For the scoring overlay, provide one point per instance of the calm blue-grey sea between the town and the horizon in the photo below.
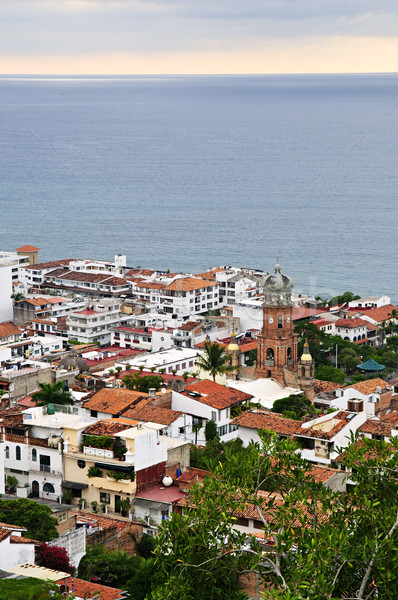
(190, 172)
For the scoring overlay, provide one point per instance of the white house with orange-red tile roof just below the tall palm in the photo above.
(205, 400)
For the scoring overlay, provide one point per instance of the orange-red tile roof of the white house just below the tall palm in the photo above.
(215, 395)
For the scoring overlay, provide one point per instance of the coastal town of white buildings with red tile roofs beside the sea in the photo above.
(123, 389)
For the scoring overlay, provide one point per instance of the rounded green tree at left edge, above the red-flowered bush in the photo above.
(37, 518)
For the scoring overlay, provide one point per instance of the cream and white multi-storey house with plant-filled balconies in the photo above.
(112, 459)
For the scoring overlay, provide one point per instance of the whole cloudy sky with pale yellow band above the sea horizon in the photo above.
(198, 36)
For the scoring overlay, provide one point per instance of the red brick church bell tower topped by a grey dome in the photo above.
(277, 343)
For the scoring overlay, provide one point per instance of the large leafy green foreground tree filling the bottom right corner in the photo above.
(326, 545)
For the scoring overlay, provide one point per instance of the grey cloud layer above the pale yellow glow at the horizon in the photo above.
(147, 27)
